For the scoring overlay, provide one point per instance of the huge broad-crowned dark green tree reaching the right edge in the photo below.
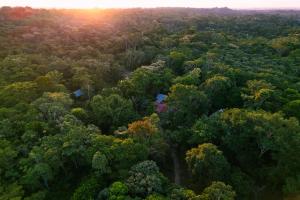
(257, 140)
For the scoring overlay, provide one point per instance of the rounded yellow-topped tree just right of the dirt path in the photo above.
(207, 163)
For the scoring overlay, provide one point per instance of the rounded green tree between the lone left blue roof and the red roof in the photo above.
(112, 111)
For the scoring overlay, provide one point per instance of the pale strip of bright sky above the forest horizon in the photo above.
(243, 4)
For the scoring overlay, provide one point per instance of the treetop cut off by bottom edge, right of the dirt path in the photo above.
(217, 191)
